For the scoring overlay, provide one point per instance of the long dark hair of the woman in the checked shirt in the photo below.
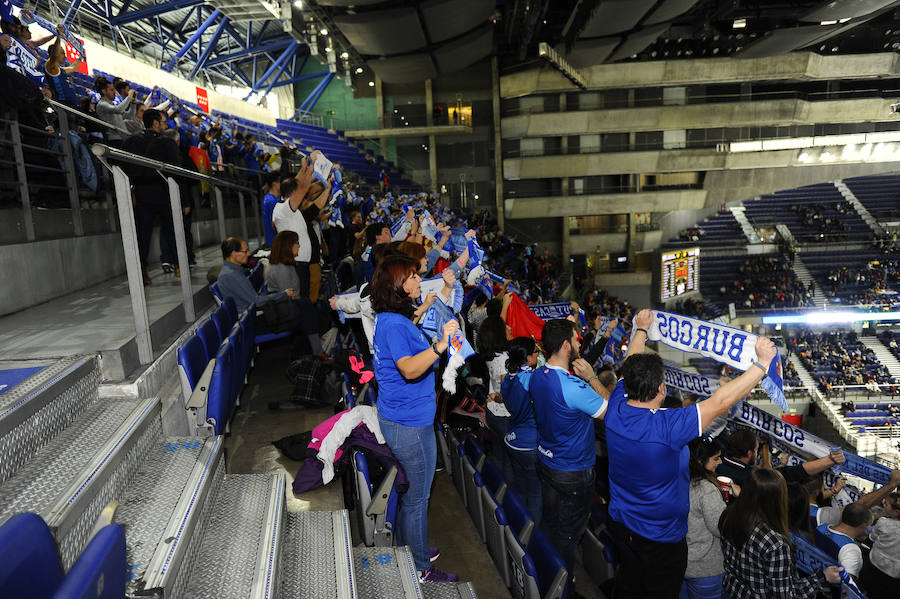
(763, 499)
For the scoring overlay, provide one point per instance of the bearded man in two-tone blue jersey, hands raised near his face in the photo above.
(564, 408)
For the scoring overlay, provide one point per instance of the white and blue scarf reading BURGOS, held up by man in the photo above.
(722, 343)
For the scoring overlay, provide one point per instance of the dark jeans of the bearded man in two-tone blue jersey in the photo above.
(567, 498)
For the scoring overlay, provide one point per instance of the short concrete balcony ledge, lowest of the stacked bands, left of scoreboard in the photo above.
(613, 203)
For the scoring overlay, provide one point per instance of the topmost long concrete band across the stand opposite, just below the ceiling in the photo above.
(791, 66)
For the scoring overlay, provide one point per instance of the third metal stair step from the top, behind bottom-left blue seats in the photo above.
(162, 509)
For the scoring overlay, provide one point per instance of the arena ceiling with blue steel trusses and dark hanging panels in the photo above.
(263, 43)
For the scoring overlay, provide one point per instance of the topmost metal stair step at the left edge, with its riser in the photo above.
(39, 408)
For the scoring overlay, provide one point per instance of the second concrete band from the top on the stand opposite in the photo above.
(697, 116)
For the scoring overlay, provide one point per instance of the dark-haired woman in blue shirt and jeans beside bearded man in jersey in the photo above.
(521, 434)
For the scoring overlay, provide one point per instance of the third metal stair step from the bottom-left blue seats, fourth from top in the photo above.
(238, 554)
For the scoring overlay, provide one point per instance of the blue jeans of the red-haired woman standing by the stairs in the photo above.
(416, 449)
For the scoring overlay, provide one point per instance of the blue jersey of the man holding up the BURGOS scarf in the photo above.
(649, 480)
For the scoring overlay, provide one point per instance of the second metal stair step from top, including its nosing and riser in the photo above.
(72, 478)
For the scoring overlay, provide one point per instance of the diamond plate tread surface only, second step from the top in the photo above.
(39, 482)
